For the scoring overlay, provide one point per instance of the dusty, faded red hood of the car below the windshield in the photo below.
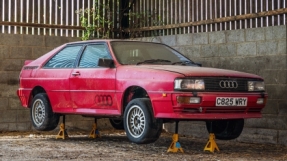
(191, 71)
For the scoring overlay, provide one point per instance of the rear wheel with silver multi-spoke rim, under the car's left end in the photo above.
(42, 116)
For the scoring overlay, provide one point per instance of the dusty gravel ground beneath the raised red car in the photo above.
(114, 145)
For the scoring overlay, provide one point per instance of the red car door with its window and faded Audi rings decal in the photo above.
(91, 86)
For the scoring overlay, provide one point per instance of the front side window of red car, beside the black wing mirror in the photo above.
(92, 54)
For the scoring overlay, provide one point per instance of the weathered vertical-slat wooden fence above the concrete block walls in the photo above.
(137, 18)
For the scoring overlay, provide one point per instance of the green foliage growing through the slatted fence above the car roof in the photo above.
(97, 22)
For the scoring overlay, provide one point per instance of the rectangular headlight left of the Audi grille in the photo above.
(192, 84)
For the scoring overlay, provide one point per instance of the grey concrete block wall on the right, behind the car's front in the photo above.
(261, 51)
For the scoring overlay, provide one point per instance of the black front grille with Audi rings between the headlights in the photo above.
(212, 84)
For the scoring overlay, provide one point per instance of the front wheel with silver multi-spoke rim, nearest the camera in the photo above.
(140, 125)
